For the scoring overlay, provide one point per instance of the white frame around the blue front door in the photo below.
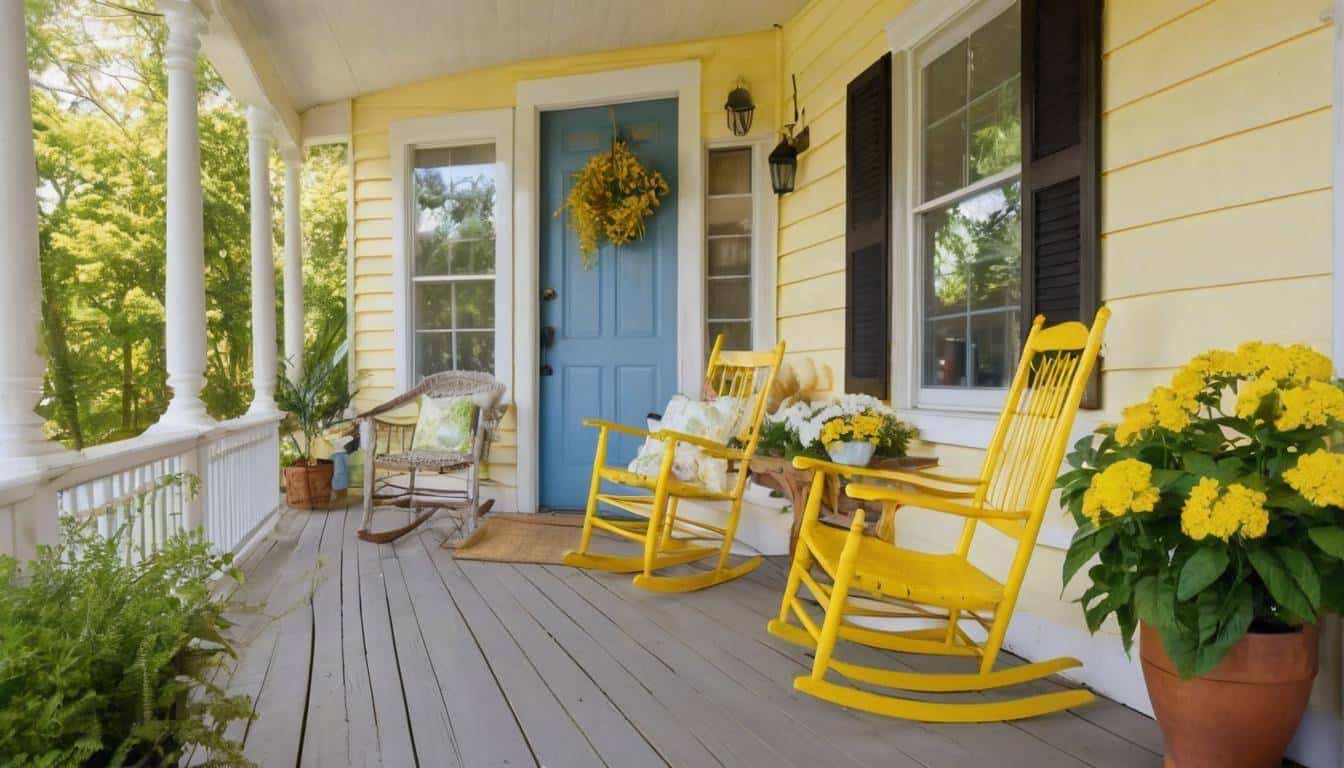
(681, 81)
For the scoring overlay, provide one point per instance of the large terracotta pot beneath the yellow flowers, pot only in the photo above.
(1244, 714)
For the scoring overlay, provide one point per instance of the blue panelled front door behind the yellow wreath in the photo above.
(608, 334)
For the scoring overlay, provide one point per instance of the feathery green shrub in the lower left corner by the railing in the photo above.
(108, 664)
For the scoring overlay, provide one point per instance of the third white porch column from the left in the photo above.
(260, 126)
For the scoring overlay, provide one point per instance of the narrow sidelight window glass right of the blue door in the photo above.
(729, 223)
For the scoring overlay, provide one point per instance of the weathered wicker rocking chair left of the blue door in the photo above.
(388, 450)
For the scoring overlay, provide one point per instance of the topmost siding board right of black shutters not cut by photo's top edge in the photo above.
(1277, 84)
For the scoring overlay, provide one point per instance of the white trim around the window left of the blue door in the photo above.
(456, 130)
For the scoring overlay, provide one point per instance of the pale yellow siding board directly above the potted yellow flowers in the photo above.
(1169, 329)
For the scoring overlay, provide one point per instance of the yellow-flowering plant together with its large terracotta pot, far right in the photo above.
(1214, 516)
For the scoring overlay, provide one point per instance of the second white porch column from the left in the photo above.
(186, 290)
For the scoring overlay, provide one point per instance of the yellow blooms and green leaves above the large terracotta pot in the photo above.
(1216, 506)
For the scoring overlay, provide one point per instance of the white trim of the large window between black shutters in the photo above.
(955, 418)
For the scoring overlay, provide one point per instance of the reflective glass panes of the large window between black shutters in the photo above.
(971, 233)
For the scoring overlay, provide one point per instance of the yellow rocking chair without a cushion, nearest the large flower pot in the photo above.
(869, 578)
